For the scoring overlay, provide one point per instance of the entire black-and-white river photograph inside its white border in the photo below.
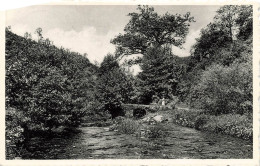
(137, 81)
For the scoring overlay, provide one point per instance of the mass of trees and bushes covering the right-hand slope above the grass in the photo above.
(220, 79)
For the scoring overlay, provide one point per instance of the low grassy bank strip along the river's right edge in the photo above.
(231, 124)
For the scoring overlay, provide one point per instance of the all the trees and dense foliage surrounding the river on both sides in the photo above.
(48, 88)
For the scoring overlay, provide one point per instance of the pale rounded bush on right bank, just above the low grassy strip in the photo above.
(225, 89)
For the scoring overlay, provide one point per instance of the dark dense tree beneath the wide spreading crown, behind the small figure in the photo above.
(159, 75)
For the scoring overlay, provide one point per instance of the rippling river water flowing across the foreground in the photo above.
(178, 143)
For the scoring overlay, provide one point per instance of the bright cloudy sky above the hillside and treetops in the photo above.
(89, 29)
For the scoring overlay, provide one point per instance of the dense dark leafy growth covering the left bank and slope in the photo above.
(46, 87)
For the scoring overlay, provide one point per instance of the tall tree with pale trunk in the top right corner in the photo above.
(230, 23)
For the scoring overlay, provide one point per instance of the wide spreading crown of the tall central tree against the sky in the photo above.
(146, 29)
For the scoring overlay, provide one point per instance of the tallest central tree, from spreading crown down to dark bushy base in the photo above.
(152, 35)
